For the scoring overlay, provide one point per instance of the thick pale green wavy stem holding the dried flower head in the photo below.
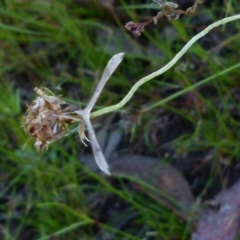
(163, 69)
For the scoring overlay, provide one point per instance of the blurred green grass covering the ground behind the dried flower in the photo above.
(54, 43)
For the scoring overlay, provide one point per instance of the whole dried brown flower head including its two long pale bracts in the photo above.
(47, 119)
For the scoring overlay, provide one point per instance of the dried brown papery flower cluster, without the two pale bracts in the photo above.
(45, 120)
